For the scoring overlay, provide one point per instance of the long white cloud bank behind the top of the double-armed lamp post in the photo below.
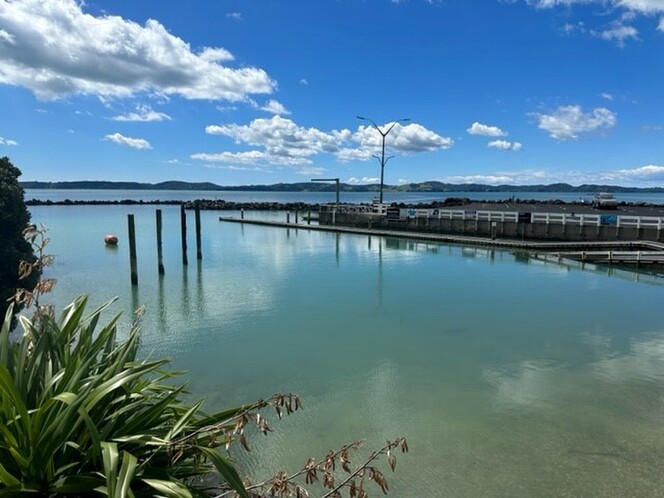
(279, 140)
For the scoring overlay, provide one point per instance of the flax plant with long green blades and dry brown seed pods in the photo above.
(82, 415)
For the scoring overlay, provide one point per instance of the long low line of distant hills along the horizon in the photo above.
(430, 186)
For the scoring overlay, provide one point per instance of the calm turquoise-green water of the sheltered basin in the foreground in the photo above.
(509, 377)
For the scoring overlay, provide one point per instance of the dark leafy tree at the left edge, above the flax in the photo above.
(14, 248)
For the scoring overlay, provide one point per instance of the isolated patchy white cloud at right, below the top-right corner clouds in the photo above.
(567, 122)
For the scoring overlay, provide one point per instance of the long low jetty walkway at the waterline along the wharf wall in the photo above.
(618, 252)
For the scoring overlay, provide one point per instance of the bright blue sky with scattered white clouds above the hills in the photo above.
(243, 92)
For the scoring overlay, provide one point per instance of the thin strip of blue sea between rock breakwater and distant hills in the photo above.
(317, 197)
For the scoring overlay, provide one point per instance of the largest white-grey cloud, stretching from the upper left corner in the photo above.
(55, 49)
